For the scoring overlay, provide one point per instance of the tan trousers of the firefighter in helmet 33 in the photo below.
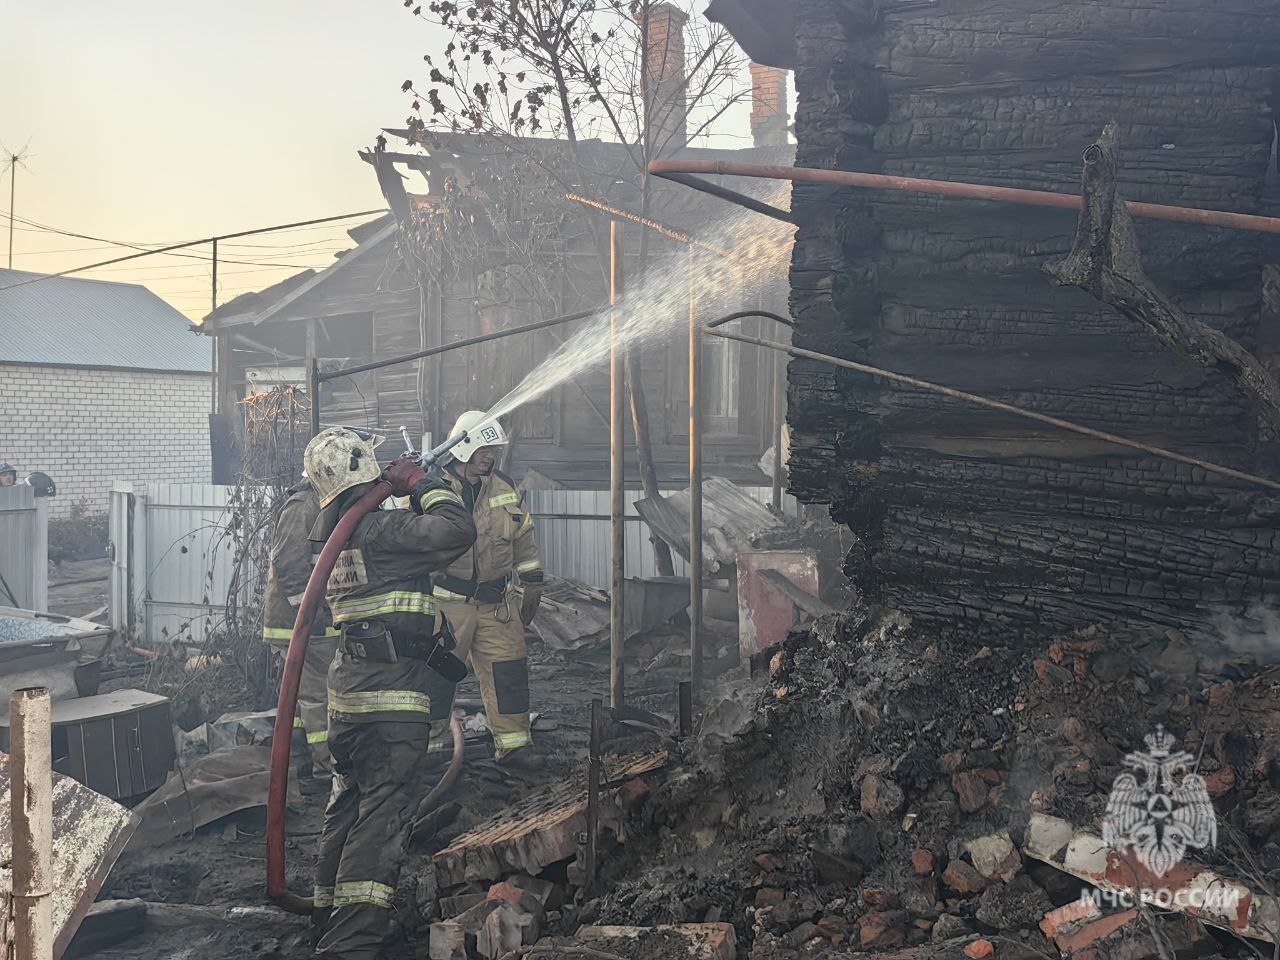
(493, 637)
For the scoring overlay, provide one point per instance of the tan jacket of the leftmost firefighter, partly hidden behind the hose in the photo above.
(292, 559)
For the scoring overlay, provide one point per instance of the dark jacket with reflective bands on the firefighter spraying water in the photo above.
(382, 586)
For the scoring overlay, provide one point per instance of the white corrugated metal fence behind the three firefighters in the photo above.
(172, 559)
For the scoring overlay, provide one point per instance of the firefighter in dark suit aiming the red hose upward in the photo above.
(392, 680)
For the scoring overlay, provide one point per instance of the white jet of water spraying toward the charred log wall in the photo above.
(755, 253)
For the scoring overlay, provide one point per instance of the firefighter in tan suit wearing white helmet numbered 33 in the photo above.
(479, 591)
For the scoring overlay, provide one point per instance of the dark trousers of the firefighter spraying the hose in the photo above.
(380, 779)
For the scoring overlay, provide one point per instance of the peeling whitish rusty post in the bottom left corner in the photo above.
(31, 796)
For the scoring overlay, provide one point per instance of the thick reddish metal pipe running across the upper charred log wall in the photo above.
(678, 171)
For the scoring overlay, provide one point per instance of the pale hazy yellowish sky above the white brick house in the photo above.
(164, 121)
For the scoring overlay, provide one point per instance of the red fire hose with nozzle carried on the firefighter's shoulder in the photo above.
(277, 885)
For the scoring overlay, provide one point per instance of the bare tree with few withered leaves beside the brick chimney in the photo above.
(525, 74)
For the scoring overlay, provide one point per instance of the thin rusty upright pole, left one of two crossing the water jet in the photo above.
(618, 479)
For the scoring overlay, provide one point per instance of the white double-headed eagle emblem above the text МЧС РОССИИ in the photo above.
(1160, 810)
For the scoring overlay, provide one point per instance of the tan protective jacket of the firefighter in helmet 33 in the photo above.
(505, 541)
